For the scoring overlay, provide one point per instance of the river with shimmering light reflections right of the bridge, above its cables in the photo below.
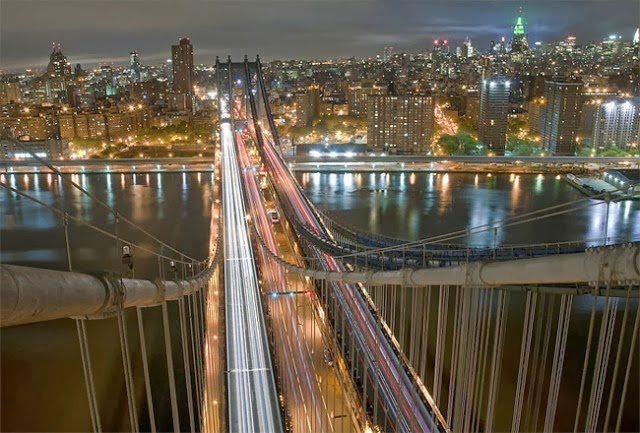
(461, 200)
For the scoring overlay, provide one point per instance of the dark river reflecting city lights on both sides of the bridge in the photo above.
(42, 381)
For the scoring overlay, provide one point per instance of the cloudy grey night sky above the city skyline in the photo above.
(93, 31)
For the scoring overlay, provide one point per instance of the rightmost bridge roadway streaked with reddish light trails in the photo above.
(405, 409)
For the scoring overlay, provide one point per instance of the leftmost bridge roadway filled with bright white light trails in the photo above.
(252, 395)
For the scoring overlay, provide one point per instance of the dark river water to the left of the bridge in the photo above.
(43, 387)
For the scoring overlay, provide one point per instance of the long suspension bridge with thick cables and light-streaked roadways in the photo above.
(307, 324)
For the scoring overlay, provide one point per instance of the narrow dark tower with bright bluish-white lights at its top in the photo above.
(494, 110)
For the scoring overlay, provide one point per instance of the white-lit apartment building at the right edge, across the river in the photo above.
(617, 123)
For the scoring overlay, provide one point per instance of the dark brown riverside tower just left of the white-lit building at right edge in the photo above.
(562, 115)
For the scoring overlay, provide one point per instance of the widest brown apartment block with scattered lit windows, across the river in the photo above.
(400, 124)
